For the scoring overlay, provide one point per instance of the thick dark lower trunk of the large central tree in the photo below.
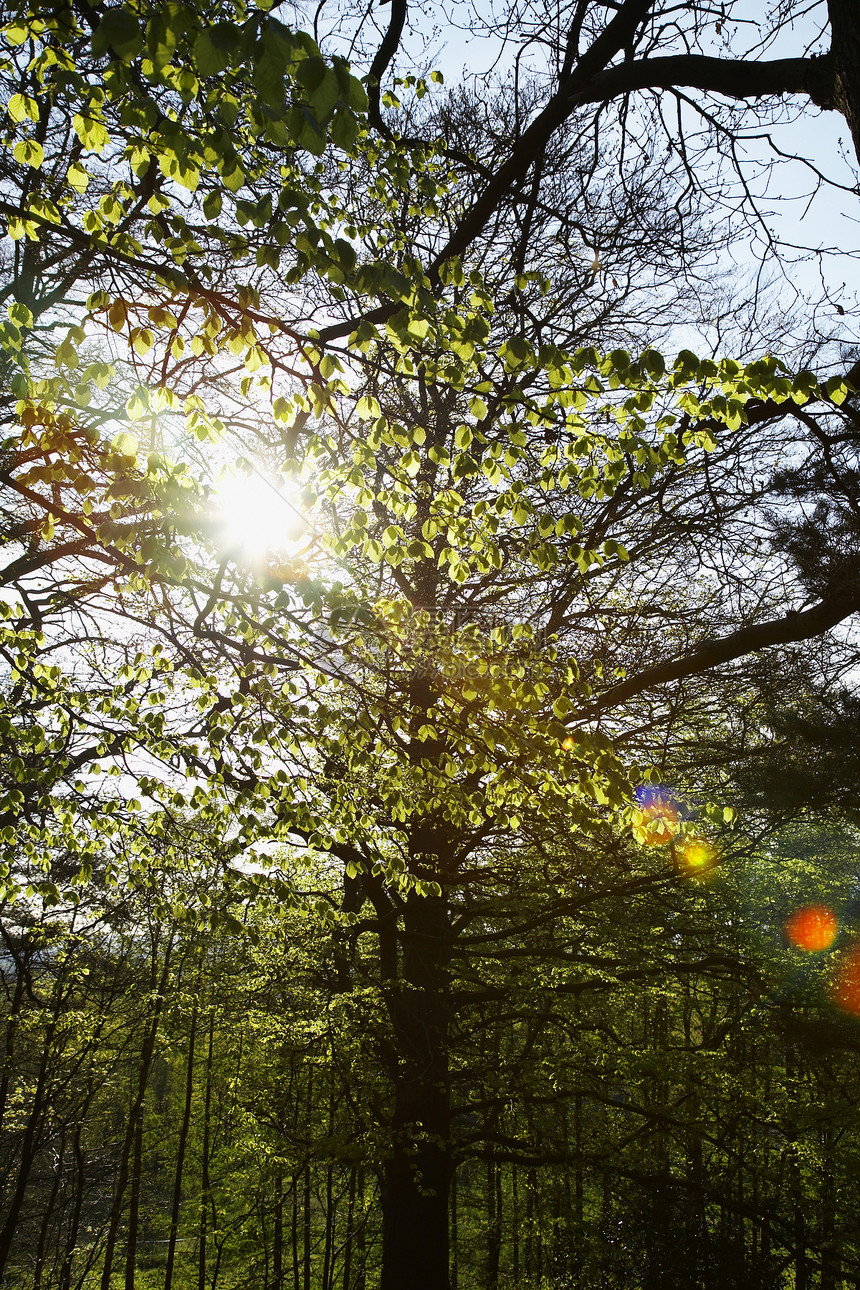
(418, 1175)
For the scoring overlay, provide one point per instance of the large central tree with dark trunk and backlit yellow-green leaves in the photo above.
(484, 495)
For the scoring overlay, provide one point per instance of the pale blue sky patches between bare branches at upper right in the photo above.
(813, 273)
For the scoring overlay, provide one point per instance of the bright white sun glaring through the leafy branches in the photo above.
(256, 518)
